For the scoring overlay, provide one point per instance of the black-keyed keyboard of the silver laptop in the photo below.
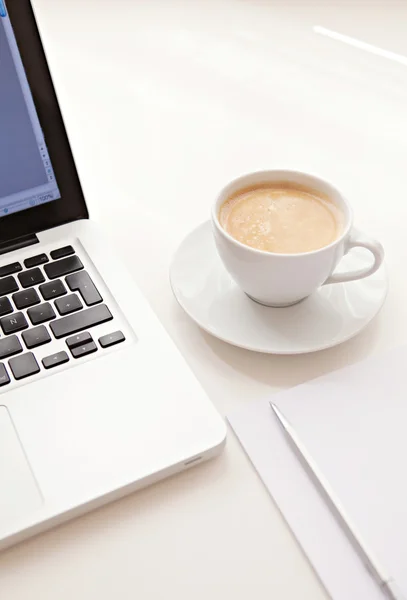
(64, 304)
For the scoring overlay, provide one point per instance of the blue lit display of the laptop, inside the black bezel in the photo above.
(27, 178)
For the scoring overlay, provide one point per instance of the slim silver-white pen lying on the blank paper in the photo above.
(383, 579)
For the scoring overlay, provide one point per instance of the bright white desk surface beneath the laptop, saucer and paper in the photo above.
(166, 101)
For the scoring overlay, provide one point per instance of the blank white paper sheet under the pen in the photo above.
(353, 422)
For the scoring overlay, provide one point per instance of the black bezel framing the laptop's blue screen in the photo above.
(71, 206)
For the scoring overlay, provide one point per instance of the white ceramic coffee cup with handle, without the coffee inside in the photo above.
(284, 279)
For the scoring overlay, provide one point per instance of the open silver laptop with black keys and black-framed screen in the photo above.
(95, 400)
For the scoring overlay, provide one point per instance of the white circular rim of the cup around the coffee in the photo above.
(242, 178)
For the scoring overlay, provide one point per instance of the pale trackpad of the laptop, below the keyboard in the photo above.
(19, 493)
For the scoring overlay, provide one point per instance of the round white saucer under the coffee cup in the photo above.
(334, 314)
